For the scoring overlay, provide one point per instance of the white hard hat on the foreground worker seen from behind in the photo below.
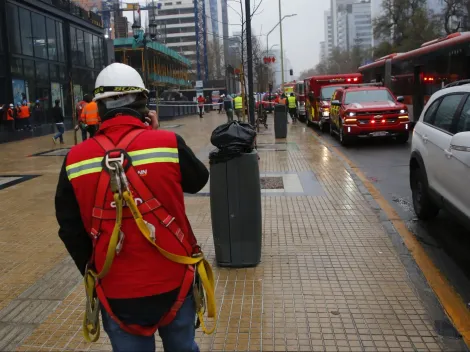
(118, 79)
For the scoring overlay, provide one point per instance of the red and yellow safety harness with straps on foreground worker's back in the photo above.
(118, 172)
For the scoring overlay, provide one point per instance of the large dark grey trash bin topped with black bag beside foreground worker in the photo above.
(235, 196)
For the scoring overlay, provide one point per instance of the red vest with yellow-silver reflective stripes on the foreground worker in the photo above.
(152, 169)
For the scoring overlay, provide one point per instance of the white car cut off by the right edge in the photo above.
(440, 154)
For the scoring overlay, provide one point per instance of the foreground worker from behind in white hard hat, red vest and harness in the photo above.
(121, 214)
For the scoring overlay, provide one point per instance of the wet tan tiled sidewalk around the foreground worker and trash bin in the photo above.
(330, 277)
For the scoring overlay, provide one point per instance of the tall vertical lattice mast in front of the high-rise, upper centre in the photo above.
(201, 40)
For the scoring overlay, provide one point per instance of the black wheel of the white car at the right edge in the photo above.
(424, 206)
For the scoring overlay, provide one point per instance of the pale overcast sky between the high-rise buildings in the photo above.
(302, 34)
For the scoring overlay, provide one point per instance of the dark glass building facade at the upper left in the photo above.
(47, 53)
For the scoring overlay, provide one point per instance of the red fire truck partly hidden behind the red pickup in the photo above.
(319, 90)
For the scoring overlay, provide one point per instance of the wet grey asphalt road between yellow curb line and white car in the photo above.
(385, 163)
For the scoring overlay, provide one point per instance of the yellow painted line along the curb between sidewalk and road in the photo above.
(452, 302)
